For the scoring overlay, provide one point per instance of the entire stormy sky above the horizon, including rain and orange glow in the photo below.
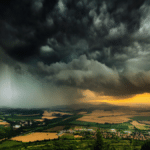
(58, 52)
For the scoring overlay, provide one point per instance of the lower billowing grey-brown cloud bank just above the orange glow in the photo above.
(93, 75)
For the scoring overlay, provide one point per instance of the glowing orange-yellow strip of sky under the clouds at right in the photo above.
(138, 99)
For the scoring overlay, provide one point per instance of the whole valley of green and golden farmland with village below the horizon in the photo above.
(75, 129)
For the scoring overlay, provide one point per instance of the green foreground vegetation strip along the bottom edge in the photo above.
(71, 143)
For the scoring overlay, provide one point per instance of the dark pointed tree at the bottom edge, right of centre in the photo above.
(99, 143)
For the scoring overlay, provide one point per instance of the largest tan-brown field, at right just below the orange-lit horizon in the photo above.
(115, 116)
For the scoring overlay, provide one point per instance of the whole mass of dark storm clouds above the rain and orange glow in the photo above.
(87, 44)
